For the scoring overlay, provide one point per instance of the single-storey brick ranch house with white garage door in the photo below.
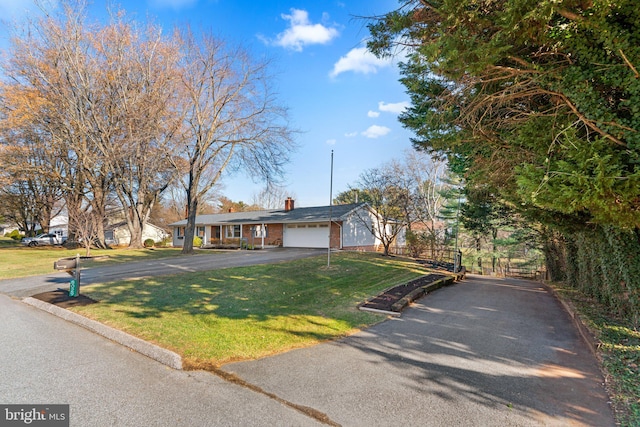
(301, 227)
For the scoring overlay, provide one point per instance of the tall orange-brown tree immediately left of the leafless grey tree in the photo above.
(135, 115)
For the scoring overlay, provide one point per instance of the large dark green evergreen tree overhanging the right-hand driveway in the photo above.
(537, 99)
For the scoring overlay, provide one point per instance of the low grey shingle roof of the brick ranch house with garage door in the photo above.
(313, 214)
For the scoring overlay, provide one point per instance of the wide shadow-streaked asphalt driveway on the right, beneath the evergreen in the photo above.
(484, 352)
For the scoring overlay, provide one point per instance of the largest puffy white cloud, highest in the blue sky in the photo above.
(302, 32)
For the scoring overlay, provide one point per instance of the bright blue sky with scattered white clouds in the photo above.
(340, 97)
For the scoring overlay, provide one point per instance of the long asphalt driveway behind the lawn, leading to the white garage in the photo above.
(27, 286)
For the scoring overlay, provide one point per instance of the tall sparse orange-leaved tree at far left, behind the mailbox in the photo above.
(49, 69)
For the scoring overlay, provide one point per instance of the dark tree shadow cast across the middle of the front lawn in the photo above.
(232, 296)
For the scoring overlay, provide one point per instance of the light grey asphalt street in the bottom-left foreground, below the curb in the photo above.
(45, 360)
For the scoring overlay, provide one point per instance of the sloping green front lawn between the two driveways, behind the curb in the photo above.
(220, 316)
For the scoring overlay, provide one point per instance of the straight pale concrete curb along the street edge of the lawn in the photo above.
(164, 356)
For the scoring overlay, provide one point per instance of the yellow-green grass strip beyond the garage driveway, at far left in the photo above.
(20, 261)
